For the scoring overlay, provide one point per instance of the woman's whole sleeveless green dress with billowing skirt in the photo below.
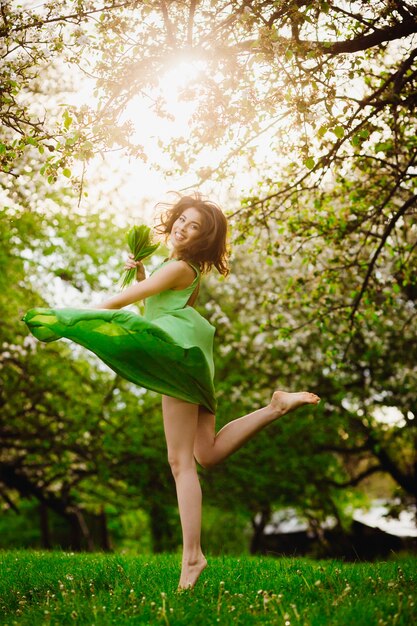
(169, 349)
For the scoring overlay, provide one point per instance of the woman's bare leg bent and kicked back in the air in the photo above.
(210, 448)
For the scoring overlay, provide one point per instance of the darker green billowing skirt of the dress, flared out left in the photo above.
(133, 347)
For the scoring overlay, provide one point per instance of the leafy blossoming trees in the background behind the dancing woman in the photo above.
(316, 101)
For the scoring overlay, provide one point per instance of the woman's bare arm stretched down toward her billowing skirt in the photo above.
(171, 276)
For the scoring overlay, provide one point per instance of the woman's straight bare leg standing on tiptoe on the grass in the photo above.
(180, 424)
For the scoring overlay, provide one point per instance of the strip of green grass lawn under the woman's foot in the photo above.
(60, 588)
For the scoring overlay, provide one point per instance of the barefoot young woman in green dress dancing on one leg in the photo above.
(169, 350)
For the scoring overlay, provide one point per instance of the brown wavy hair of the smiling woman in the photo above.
(210, 249)
